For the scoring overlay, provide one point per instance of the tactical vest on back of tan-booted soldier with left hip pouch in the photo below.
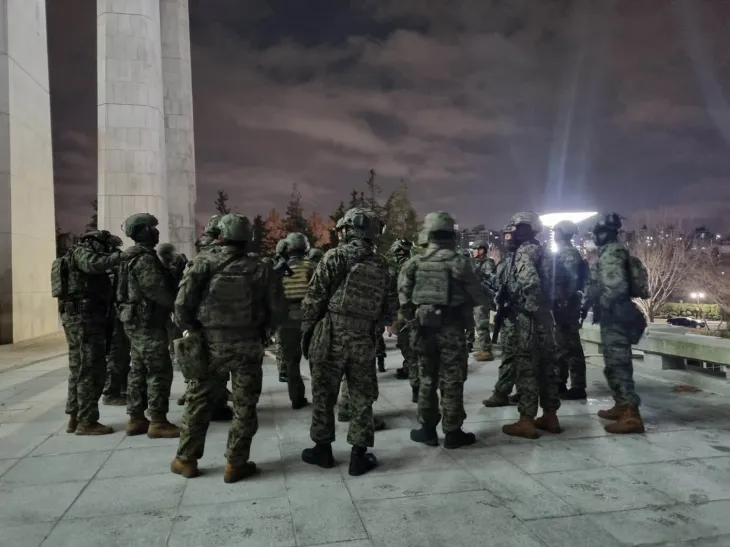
(228, 301)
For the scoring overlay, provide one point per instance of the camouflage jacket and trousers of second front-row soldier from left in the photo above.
(151, 297)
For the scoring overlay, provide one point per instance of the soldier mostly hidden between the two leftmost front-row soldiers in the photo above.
(118, 354)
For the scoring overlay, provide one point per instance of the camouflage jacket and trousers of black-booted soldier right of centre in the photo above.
(441, 352)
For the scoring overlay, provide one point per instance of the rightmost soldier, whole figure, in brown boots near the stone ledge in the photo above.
(609, 294)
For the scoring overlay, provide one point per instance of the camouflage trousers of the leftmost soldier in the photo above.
(86, 362)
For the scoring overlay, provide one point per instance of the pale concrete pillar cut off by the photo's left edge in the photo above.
(27, 217)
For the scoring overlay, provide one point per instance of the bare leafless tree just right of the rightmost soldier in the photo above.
(669, 258)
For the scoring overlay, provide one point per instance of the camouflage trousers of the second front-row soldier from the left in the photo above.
(150, 375)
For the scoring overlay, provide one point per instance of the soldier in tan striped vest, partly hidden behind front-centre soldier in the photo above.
(289, 333)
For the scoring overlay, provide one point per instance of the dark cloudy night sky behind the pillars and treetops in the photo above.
(485, 107)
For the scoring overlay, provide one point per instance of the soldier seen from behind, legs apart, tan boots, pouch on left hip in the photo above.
(232, 299)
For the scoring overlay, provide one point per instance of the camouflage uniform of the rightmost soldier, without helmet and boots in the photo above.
(612, 304)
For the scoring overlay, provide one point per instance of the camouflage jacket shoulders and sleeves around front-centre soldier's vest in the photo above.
(332, 271)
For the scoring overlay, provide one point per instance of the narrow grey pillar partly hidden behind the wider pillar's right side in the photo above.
(179, 141)
